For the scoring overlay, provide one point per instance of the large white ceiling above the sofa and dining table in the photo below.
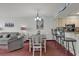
(29, 9)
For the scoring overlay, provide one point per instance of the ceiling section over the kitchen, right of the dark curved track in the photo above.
(71, 10)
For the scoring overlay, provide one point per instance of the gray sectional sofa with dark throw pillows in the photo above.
(11, 41)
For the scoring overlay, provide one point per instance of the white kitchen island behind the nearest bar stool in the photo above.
(73, 35)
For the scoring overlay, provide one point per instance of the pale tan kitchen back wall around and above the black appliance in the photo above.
(68, 20)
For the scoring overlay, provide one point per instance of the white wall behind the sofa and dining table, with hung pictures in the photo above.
(49, 23)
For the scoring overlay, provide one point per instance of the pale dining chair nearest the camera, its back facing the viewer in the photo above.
(37, 43)
